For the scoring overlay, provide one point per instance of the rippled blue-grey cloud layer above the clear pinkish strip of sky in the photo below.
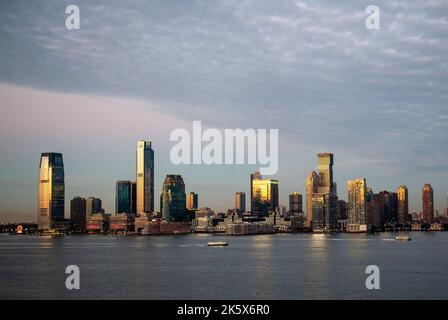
(311, 69)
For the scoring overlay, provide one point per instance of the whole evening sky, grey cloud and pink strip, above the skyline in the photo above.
(377, 99)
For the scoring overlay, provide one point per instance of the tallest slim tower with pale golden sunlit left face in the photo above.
(145, 178)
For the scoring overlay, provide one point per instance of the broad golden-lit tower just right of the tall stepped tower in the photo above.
(356, 205)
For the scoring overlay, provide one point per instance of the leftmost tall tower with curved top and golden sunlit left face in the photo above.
(51, 190)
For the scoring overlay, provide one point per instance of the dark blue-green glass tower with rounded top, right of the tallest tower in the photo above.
(173, 199)
